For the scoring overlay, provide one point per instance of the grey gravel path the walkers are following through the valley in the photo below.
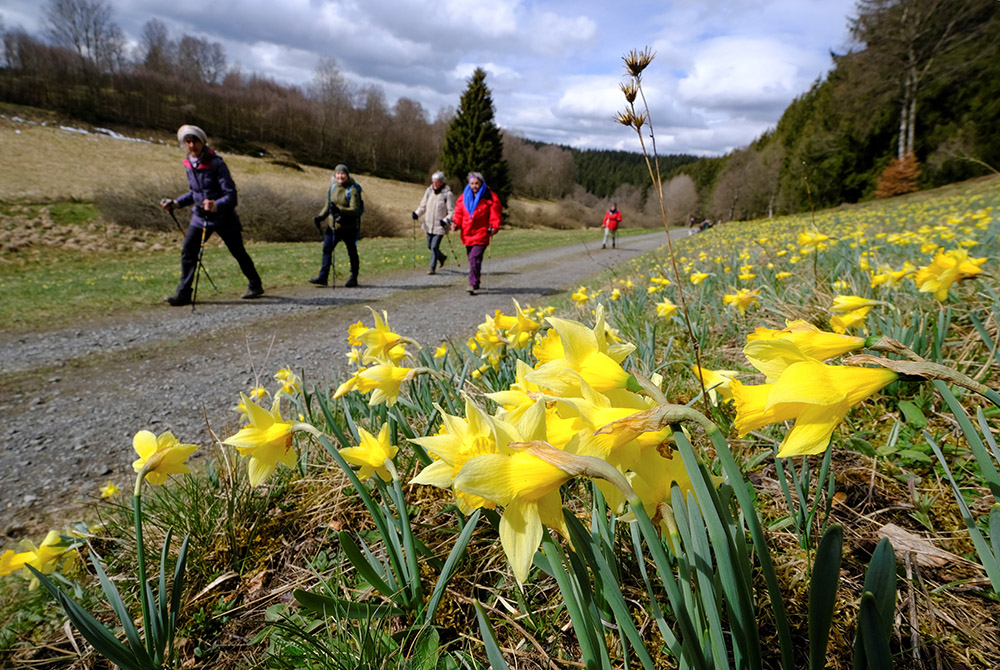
(74, 398)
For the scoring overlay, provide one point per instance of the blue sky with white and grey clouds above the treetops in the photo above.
(724, 69)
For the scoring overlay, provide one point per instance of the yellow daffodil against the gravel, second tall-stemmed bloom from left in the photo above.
(267, 440)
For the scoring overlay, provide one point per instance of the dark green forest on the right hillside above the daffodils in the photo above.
(923, 79)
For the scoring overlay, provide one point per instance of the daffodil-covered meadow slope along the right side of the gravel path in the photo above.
(566, 489)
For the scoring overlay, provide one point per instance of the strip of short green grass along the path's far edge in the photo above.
(61, 287)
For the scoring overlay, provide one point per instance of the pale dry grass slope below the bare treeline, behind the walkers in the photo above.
(46, 164)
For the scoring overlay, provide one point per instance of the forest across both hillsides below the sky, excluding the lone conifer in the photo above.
(915, 103)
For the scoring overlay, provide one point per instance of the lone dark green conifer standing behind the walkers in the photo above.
(473, 142)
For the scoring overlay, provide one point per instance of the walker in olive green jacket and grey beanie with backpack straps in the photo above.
(344, 205)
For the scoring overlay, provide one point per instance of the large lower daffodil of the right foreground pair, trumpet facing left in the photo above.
(817, 396)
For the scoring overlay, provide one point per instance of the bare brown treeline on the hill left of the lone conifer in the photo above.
(325, 123)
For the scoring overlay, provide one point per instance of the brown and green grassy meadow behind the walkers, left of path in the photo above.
(61, 259)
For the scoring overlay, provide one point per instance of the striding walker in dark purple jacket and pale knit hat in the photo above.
(213, 194)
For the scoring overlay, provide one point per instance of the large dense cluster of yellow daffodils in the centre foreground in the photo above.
(548, 423)
